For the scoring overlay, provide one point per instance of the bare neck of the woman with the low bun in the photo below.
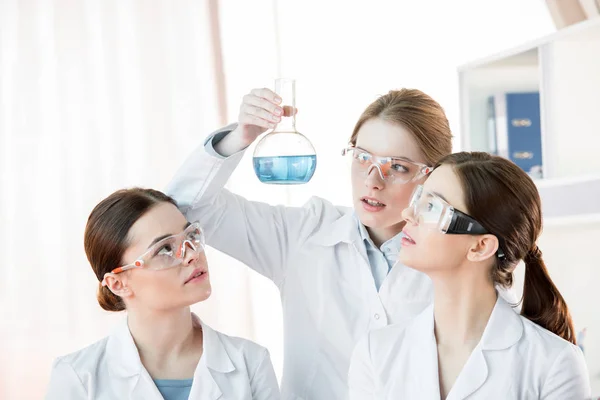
(161, 335)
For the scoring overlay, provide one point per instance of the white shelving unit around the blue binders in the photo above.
(565, 68)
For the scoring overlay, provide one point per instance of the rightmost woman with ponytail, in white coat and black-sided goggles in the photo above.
(483, 215)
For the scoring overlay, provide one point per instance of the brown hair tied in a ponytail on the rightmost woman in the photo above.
(504, 199)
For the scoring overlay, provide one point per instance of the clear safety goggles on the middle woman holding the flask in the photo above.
(391, 169)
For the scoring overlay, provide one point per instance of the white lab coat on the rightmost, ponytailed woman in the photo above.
(516, 359)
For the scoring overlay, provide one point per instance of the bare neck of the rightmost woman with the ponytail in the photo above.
(463, 303)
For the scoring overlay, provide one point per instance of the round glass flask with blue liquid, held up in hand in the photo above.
(285, 156)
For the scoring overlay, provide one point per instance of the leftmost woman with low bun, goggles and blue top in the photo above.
(150, 261)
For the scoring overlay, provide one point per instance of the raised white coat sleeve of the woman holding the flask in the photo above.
(258, 234)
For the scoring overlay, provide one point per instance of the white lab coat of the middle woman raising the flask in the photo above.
(315, 257)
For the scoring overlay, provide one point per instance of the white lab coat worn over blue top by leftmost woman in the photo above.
(229, 369)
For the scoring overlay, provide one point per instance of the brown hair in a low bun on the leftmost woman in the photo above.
(105, 238)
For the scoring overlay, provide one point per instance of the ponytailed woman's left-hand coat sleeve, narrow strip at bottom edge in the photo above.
(361, 375)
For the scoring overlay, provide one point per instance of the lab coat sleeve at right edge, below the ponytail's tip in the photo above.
(567, 378)
